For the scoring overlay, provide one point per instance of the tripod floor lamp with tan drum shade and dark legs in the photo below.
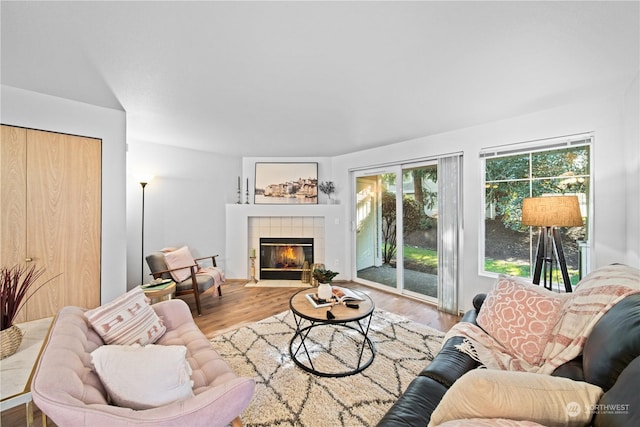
(549, 213)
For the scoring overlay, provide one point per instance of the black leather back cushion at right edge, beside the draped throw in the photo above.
(613, 343)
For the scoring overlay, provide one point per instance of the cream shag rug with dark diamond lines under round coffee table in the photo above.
(286, 395)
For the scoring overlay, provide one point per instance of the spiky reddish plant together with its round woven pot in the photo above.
(16, 287)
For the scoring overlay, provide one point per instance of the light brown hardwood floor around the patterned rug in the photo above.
(240, 305)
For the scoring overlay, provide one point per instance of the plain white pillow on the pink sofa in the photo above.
(143, 377)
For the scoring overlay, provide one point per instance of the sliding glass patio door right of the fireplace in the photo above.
(396, 243)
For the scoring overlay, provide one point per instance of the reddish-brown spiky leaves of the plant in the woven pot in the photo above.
(17, 286)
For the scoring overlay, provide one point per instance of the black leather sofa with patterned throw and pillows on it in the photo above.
(610, 359)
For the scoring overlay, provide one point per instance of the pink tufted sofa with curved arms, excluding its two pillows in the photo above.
(69, 392)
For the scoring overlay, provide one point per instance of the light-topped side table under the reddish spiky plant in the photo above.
(16, 370)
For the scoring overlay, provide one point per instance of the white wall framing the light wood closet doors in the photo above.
(38, 111)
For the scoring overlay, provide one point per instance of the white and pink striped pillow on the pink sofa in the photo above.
(129, 319)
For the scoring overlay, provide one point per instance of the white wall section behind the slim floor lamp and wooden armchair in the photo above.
(184, 203)
